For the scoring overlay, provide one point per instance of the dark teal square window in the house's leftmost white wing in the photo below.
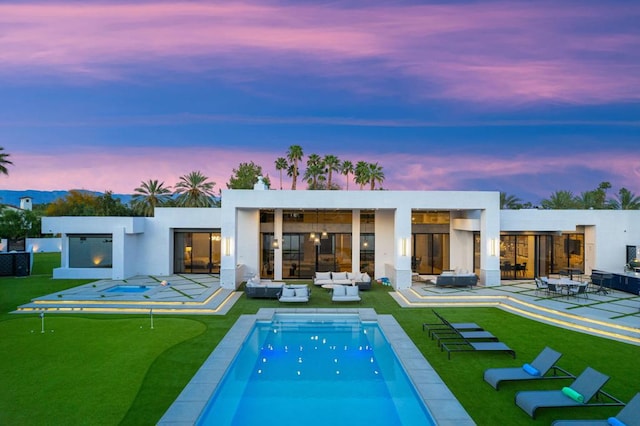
(90, 251)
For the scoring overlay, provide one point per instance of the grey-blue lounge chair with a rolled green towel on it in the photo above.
(578, 394)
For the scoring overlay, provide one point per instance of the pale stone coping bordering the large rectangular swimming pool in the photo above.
(443, 405)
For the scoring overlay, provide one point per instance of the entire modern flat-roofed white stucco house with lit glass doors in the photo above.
(396, 234)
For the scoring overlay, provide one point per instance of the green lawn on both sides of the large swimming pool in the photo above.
(114, 369)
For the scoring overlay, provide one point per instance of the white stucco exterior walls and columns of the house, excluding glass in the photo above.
(145, 246)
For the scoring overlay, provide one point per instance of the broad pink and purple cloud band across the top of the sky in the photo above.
(489, 52)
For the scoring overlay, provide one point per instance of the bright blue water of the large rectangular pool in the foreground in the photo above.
(315, 372)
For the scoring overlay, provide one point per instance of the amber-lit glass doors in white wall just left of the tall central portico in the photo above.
(197, 252)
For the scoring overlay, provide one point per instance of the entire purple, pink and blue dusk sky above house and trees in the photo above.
(516, 96)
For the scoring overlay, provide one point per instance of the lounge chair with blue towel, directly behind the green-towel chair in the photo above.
(536, 370)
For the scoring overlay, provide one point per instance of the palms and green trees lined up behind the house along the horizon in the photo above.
(196, 190)
